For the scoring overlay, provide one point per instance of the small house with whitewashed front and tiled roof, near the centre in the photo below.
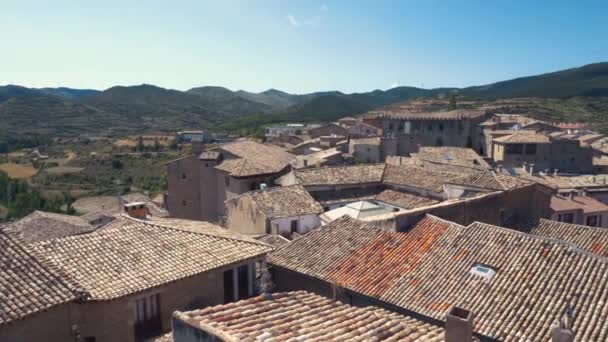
(285, 211)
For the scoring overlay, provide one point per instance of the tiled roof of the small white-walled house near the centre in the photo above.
(283, 201)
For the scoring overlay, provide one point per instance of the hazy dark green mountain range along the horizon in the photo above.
(146, 108)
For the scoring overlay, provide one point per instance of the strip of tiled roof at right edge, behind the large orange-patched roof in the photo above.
(591, 239)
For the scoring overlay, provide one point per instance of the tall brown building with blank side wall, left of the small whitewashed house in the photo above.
(199, 184)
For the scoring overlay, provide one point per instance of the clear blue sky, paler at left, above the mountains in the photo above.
(295, 46)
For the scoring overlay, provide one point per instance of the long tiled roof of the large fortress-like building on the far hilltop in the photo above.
(396, 112)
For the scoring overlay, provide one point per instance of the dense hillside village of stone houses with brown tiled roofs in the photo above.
(401, 224)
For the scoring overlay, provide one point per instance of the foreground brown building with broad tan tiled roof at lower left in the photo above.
(123, 281)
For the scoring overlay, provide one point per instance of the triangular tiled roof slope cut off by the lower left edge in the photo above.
(27, 283)
